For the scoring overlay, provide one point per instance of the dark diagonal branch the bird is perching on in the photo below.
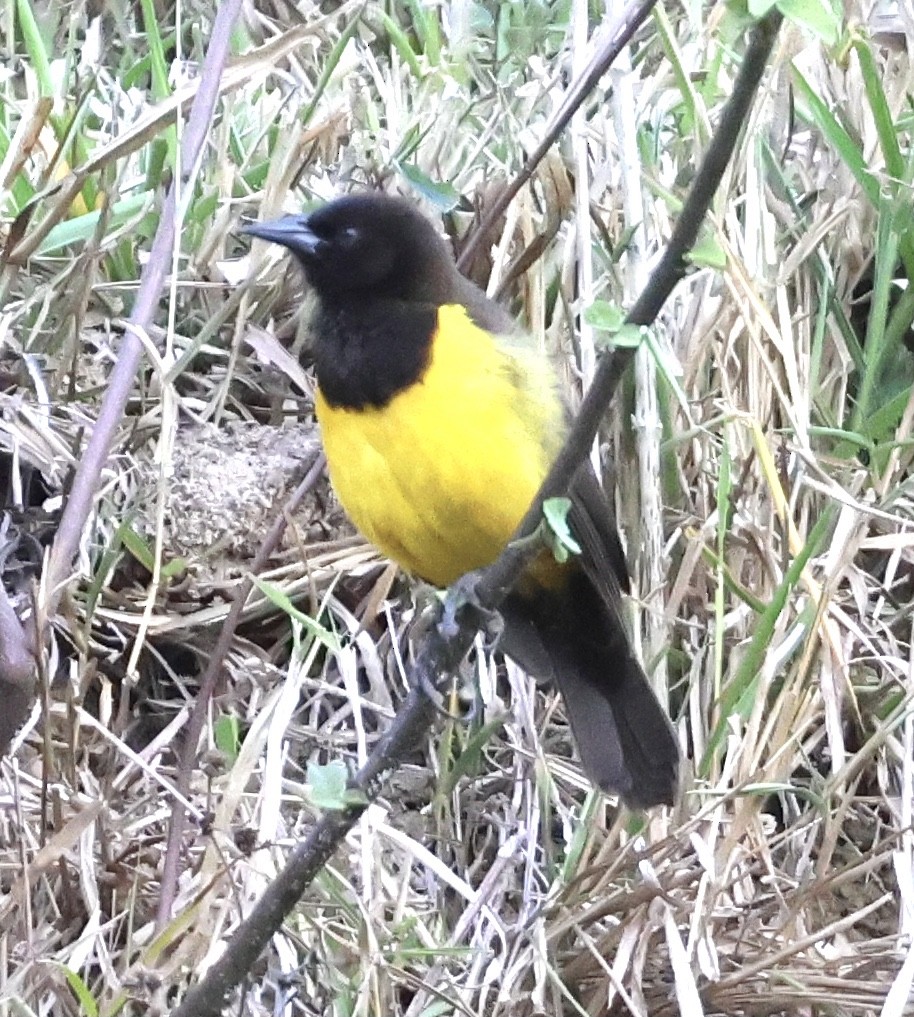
(445, 646)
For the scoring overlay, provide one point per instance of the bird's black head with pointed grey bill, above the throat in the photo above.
(369, 245)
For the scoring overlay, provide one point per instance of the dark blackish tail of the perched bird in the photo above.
(574, 638)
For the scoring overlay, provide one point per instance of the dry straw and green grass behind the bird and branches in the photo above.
(761, 454)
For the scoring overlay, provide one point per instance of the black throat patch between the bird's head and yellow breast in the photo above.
(365, 354)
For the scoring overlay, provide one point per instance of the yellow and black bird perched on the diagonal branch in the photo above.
(439, 428)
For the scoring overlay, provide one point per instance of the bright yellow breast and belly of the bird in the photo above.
(440, 478)
